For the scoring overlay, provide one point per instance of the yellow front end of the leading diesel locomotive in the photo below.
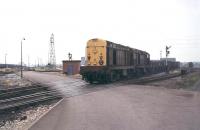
(96, 52)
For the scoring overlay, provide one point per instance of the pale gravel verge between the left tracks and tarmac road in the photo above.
(22, 120)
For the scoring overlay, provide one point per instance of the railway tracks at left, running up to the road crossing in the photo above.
(16, 98)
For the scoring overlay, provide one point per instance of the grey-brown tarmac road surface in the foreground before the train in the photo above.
(128, 107)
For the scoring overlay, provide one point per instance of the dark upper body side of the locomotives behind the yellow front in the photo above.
(119, 55)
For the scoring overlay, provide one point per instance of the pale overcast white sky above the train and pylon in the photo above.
(143, 24)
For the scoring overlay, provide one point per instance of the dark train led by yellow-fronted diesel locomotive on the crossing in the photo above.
(107, 61)
